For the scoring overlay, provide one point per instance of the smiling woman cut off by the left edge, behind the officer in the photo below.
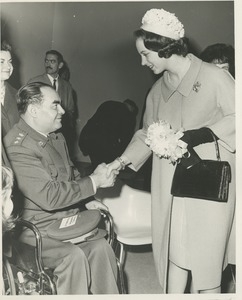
(9, 110)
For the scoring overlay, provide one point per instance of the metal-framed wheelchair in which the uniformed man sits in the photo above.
(23, 272)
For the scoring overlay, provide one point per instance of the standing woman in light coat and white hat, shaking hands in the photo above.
(189, 235)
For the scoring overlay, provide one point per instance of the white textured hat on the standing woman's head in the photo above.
(162, 22)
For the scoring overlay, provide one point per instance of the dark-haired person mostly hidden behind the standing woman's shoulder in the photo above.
(222, 55)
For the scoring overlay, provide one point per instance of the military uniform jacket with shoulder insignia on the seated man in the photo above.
(45, 175)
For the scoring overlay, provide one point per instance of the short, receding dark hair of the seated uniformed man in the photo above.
(30, 94)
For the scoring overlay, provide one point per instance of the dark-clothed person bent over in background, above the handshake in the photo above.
(108, 132)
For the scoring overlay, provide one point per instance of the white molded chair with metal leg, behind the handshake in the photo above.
(131, 212)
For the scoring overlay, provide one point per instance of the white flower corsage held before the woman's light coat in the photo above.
(165, 142)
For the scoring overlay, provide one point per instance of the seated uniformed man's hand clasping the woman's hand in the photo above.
(101, 178)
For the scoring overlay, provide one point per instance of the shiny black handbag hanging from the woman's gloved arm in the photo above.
(208, 179)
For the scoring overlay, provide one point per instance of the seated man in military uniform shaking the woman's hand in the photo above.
(52, 189)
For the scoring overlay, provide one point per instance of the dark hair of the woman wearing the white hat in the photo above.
(163, 45)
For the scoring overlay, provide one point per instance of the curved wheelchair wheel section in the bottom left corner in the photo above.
(9, 287)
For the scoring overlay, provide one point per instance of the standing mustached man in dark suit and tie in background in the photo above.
(54, 63)
